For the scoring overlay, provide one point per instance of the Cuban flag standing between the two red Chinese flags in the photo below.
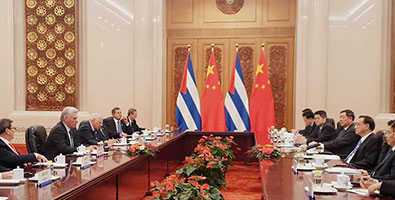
(236, 101)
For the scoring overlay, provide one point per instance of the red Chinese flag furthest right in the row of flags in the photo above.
(262, 103)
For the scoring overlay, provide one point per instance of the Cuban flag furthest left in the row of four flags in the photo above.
(188, 103)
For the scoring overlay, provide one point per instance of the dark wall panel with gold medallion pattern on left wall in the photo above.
(51, 54)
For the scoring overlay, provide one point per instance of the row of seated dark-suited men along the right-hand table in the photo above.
(357, 143)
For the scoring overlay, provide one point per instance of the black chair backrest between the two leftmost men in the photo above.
(35, 137)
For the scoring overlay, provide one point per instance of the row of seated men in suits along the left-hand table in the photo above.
(64, 138)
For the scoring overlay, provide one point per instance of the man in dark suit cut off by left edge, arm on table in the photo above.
(10, 158)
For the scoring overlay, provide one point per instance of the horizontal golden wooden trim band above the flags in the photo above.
(232, 32)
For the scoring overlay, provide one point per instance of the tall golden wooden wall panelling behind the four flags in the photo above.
(201, 23)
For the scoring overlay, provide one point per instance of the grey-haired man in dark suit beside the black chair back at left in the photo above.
(62, 137)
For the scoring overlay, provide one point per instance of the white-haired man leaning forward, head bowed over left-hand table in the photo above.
(90, 131)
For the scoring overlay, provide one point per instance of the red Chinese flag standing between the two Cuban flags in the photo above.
(212, 104)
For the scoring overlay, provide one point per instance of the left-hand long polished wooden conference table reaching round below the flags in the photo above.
(119, 176)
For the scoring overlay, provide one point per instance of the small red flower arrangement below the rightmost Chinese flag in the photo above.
(264, 152)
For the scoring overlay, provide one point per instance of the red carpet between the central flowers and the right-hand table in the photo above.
(242, 183)
